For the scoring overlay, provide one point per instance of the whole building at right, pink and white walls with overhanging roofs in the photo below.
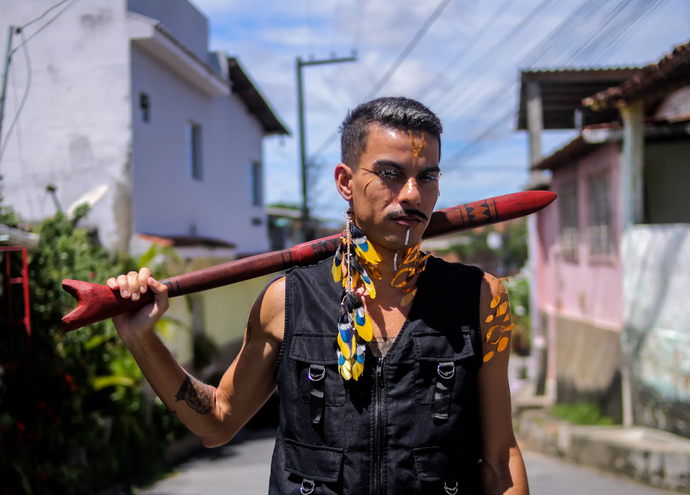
(611, 259)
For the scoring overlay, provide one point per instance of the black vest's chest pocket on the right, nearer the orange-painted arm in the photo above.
(442, 362)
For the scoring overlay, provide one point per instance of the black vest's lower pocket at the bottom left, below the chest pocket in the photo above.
(312, 467)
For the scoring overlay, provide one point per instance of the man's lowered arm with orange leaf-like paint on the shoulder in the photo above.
(502, 468)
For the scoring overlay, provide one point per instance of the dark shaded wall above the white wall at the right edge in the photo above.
(667, 175)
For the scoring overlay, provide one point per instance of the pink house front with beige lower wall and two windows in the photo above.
(578, 276)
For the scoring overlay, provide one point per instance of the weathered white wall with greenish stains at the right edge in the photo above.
(656, 335)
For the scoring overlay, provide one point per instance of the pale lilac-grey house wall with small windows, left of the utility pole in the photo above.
(167, 200)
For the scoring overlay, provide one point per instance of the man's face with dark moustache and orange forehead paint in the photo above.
(395, 187)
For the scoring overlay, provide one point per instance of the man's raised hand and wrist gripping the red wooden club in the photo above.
(137, 323)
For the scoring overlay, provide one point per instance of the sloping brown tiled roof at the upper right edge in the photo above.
(670, 73)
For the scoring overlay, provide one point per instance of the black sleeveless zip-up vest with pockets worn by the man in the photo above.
(410, 423)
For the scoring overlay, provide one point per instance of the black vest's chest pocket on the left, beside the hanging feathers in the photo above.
(317, 368)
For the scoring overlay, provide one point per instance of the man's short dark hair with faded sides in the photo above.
(393, 112)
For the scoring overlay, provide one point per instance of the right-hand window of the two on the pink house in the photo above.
(599, 189)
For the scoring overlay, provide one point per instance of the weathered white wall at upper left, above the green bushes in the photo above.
(74, 131)
